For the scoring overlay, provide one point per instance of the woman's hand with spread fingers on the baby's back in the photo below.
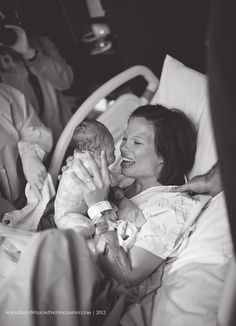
(95, 184)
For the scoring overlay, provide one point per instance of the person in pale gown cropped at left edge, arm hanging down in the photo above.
(25, 141)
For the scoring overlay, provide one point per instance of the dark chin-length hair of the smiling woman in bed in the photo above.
(175, 141)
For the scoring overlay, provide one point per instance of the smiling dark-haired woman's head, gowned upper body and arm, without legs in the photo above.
(158, 149)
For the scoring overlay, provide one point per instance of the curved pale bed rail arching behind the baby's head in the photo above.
(89, 104)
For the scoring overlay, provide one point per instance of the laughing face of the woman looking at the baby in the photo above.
(139, 158)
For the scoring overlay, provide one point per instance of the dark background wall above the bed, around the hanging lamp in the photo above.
(143, 33)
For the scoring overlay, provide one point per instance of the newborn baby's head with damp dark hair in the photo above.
(93, 136)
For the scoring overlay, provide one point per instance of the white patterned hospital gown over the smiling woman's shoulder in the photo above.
(169, 217)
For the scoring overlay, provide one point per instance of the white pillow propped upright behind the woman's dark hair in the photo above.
(186, 89)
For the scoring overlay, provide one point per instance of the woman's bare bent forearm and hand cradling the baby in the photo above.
(130, 268)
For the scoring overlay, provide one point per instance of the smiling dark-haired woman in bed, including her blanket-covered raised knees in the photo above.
(158, 149)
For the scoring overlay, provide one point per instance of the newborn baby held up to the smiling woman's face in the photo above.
(70, 206)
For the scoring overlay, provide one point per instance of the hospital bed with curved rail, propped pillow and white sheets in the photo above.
(193, 282)
